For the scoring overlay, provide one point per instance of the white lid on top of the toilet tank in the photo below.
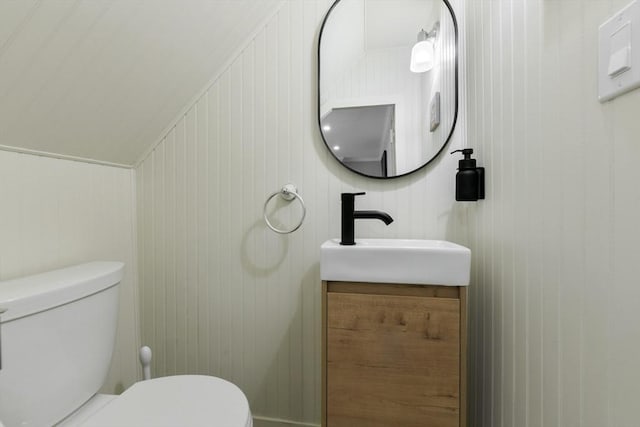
(32, 294)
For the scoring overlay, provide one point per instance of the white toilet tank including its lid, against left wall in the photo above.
(56, 341)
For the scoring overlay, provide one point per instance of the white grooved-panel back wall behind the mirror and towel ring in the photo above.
(220, 293)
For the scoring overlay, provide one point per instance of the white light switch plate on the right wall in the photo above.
(619, 53)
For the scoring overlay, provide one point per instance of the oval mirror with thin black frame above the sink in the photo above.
(387, 105)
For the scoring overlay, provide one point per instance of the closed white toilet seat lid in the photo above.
(181, 400)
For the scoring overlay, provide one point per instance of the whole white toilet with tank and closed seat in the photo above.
(57, 332)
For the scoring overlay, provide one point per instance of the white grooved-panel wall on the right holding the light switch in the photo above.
(554, 296)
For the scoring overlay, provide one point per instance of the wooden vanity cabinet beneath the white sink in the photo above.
(393, 355)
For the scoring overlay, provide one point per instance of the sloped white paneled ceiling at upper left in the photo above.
(102, 79)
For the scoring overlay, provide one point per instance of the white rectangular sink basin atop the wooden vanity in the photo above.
(421, 262)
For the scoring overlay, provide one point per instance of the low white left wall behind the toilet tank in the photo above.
(56, 213)
